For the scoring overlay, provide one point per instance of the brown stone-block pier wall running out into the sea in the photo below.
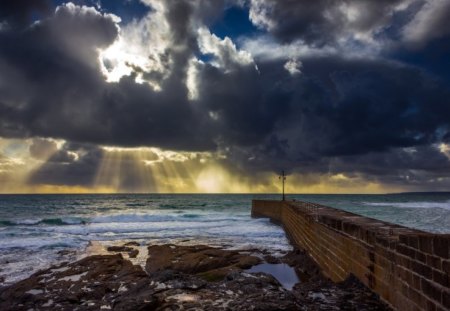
(409, 269)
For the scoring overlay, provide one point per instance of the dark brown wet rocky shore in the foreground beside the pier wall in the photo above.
(183, 278)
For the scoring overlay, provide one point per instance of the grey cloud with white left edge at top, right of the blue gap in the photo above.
(322, 21)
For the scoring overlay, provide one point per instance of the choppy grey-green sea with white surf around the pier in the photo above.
(37, 231)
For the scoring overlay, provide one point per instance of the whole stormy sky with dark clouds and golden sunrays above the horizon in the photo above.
(193, 96)
